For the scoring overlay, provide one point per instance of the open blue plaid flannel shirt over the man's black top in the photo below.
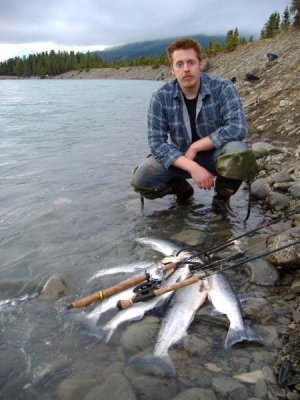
(219, 115)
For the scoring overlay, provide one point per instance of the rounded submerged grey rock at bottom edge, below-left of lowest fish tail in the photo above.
(116, 387)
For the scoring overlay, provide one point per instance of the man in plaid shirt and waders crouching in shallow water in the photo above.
(192, 122)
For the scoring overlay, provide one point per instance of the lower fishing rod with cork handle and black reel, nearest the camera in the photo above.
(204, 272)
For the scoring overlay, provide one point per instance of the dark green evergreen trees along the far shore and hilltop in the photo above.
(54, 63)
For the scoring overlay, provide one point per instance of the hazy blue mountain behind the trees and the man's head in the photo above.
(149, 48)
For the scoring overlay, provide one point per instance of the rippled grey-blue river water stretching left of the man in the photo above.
(68, 149)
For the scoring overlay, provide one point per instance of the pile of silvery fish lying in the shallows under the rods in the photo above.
(181, 309)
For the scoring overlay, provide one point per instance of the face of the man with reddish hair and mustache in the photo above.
(186, 67)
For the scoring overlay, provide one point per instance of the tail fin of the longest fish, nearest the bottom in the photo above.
(159, 366)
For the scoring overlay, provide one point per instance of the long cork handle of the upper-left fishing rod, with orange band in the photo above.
(103, 294)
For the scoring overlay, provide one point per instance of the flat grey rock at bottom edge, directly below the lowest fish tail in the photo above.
(149, 388)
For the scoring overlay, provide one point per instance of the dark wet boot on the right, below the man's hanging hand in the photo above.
(224, 189)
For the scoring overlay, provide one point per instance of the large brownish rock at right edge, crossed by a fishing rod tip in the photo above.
(289, 256)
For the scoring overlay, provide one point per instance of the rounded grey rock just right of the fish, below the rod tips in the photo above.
(263, 272)
